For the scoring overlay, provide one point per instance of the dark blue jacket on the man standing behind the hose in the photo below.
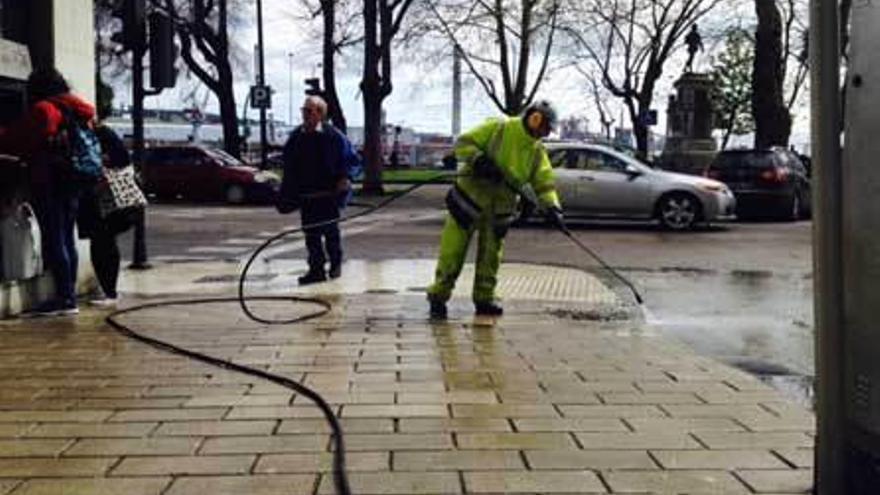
(315, 162)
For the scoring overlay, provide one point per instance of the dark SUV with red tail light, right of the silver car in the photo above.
(767, 183)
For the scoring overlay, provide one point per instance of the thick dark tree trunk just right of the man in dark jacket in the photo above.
(382, 22)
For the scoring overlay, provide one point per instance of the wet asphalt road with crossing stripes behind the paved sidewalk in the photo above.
(740, 292)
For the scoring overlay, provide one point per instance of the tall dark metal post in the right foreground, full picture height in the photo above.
(831, 432)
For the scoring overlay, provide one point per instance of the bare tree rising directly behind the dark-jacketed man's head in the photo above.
(339, 22)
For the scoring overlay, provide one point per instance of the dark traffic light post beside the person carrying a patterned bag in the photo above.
(139, 240)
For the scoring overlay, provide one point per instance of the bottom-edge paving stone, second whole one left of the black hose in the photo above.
(94, 486)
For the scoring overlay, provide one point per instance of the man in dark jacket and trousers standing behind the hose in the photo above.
(319, 163)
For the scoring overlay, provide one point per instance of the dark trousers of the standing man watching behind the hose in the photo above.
(324, 241)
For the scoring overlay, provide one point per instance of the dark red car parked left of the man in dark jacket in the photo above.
(196, 172)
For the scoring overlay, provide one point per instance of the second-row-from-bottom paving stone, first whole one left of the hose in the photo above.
(184, 465)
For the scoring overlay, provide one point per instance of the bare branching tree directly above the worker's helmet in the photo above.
(498, 40)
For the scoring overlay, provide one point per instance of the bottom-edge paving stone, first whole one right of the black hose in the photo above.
(535, 481)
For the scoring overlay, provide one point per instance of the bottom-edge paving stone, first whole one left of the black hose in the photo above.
(291, 484)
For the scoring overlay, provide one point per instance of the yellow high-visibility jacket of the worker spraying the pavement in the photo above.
(522, 159)
